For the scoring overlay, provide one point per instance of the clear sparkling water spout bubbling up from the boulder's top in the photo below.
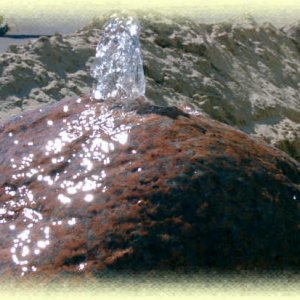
(118, 65)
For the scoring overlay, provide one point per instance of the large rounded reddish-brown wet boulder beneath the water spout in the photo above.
(89, 187)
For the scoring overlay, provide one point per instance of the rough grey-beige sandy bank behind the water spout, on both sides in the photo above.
(238, 72)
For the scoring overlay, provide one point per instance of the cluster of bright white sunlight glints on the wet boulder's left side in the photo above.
(101, 137)
